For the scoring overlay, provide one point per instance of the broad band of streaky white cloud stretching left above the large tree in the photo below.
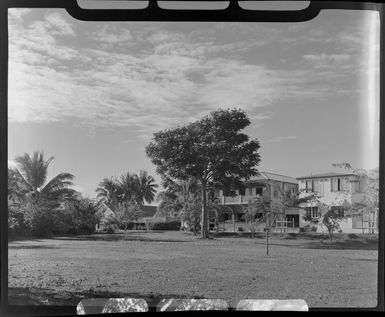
(172, 81)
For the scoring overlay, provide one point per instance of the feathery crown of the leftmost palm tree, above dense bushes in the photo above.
(31, 173)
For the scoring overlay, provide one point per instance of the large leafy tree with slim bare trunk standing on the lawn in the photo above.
(213, 150)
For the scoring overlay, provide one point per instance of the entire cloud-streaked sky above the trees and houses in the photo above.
(92, 94)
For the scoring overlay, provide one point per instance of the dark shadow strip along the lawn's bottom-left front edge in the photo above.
(48, 297)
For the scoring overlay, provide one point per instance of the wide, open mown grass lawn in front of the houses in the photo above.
(154, 265)
